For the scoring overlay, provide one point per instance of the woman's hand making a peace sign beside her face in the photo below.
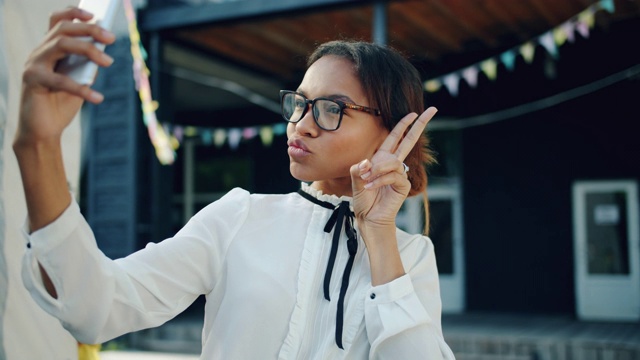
(380, 185)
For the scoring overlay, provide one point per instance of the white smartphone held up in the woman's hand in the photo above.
(78, 67)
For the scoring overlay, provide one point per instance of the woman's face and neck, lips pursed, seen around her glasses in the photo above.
(325, 157)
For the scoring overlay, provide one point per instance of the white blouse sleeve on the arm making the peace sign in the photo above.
(403, 316)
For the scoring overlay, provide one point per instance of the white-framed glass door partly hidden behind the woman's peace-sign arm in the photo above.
(445, 207)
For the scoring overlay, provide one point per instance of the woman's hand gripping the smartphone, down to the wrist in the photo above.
(50, 100)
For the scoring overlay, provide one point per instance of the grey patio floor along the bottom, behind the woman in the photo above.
(471, 336)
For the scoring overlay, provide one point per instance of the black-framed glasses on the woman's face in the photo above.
(327, 113)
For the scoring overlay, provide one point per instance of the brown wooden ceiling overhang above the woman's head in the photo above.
(274, 37)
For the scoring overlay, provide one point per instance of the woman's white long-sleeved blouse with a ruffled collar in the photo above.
(260, 260)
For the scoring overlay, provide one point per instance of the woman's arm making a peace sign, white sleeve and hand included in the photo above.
(403, 318)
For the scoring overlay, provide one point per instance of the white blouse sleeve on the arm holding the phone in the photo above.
(99, 299)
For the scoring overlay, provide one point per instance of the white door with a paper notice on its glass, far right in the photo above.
(606, 250)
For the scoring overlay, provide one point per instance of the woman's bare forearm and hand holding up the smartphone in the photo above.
(49, 101)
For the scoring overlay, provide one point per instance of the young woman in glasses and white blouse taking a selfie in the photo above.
(319, 274)
